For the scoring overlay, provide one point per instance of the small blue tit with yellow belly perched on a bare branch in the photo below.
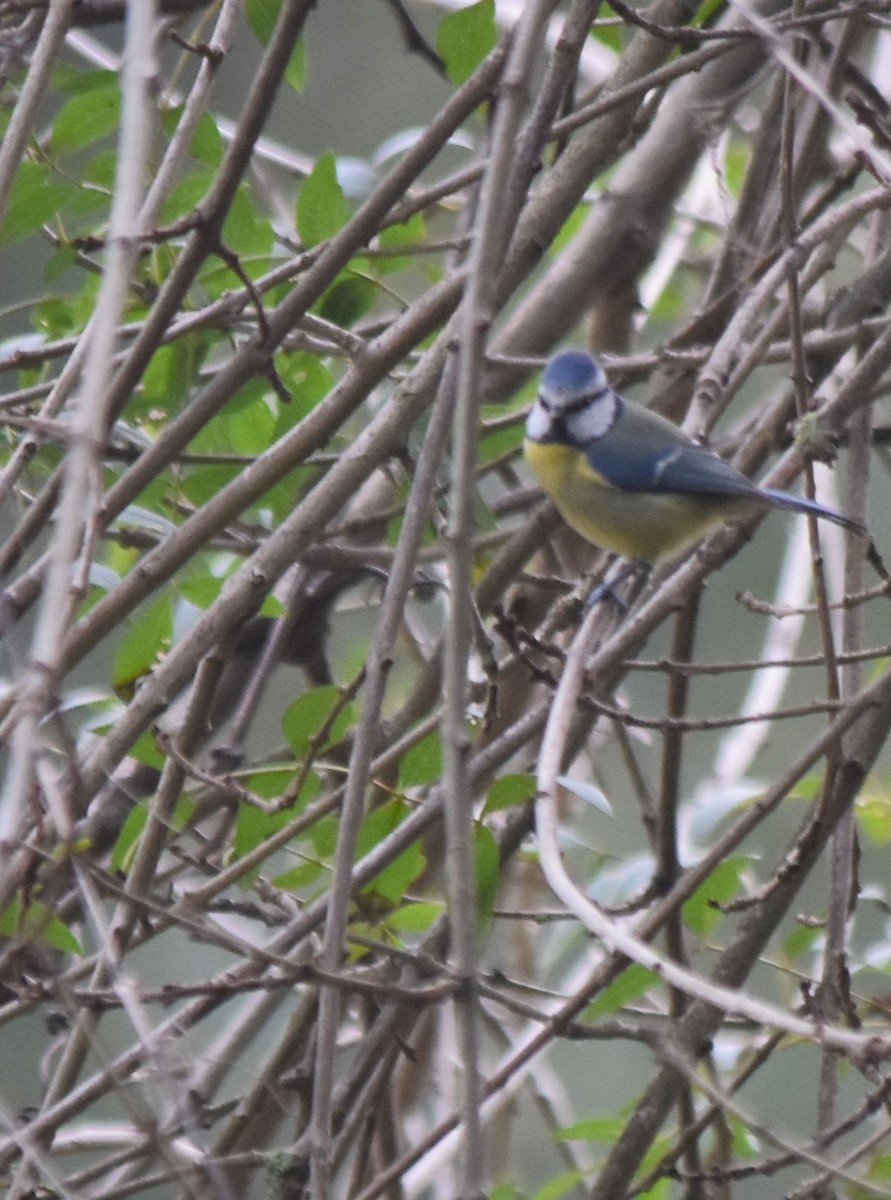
(627, 479)
